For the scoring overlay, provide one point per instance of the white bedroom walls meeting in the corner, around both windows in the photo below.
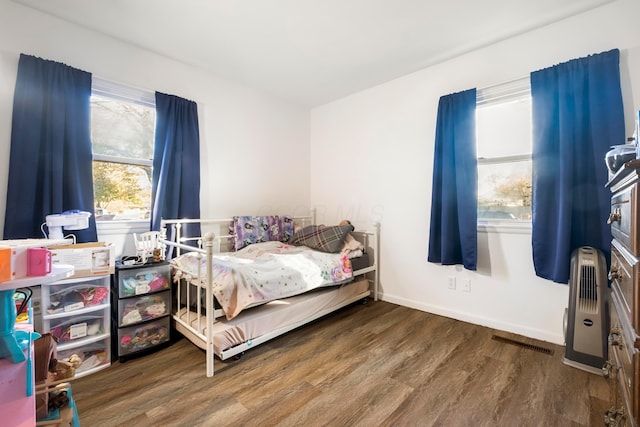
(386, 132)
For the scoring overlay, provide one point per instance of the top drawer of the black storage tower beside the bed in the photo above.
(139, 281)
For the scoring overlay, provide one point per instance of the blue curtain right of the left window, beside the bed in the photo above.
(176, 162)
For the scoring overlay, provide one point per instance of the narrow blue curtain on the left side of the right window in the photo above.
(453, 229)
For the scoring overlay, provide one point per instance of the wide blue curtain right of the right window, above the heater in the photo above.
(577, 116)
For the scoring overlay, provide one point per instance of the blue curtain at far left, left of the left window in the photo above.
(50, 169)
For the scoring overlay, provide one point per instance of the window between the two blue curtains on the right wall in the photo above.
(503, 138)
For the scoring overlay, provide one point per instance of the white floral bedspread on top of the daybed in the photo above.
(267, 271)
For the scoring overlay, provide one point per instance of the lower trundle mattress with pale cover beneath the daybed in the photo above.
(276, 316)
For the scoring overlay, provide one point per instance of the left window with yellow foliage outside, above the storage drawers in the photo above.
(122, 135)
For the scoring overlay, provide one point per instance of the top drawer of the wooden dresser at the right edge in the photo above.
(624, 218)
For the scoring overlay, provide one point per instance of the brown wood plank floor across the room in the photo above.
(377, 364)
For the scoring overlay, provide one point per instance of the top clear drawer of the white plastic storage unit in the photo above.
(75, 294)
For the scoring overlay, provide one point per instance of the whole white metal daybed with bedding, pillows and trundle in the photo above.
(262, 279)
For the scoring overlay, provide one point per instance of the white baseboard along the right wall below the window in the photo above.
(478, 320)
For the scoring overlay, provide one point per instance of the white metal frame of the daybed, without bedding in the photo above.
(202, 335)
